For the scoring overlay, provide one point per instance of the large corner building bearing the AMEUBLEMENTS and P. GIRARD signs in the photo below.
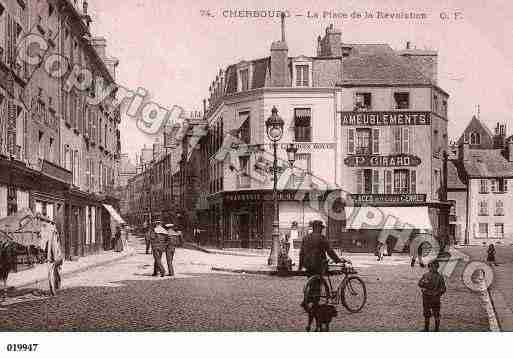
(370, 126)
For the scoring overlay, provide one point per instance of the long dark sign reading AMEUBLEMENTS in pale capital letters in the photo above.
(385, 118)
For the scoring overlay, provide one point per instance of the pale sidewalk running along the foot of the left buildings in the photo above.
(38, 276)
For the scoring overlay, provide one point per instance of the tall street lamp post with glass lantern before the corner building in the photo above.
(274, 126)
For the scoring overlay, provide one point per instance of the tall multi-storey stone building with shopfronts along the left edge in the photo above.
(67, 144)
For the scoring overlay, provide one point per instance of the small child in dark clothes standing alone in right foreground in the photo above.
(433, 287)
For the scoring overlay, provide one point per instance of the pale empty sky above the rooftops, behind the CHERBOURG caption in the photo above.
(174, 51)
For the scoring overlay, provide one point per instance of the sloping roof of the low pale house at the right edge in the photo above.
(488, 163)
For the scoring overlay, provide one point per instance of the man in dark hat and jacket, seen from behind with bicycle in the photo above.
(313, 257)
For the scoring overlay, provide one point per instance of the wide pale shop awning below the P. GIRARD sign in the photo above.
(388, 218)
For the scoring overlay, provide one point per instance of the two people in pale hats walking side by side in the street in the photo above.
(162, 240)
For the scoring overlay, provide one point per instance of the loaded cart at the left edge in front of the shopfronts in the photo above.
(33, 236)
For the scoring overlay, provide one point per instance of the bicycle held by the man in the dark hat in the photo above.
(351, 292)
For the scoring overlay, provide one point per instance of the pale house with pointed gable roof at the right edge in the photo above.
(480, 186)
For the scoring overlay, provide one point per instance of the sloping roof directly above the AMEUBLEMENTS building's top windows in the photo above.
(379, 64)
